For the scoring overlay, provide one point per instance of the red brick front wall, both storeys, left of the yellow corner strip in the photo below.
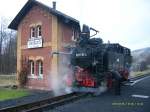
(38, 16)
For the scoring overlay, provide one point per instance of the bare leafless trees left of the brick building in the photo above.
(8, 46)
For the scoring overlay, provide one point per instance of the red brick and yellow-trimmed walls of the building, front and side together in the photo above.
(54, 34)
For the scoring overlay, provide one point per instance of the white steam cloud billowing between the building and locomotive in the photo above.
(60, 77)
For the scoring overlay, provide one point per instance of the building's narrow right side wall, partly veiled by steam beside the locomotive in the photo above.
(65, 34)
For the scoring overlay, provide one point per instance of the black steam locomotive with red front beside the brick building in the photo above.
(97, 66)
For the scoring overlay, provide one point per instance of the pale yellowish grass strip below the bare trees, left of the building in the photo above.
(7, 79)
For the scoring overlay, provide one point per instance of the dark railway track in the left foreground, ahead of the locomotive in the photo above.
(45, 104)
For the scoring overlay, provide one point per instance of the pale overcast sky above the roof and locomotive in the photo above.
(121, 21)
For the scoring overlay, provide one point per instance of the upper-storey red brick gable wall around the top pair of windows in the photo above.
(34, 18)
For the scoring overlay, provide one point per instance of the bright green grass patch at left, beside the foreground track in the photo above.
(8, 93)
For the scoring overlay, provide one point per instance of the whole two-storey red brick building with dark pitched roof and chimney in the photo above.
(41, 31)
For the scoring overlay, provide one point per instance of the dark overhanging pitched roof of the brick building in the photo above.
(28, 6)
